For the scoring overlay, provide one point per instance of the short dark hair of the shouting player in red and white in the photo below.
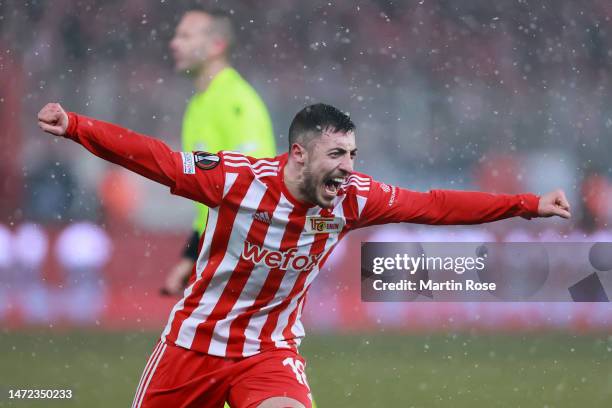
(311, 121)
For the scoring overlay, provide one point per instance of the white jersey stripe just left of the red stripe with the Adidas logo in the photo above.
(223, 272)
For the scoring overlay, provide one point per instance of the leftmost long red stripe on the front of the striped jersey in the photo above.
(225, 222)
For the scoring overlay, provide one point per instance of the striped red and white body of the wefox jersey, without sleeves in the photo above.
(260, 253)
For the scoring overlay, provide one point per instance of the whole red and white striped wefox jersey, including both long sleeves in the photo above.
(262, 248)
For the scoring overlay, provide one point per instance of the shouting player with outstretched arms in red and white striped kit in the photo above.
(272, 224)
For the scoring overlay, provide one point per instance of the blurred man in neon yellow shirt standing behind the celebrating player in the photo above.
(226, 113)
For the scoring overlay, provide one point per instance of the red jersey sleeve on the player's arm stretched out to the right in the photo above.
(392, 204)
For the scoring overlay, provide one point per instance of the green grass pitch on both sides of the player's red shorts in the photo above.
(362, 370)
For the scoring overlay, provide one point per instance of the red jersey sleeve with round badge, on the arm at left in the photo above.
(150, 158)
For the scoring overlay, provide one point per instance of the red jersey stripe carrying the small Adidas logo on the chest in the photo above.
(240, 275)
